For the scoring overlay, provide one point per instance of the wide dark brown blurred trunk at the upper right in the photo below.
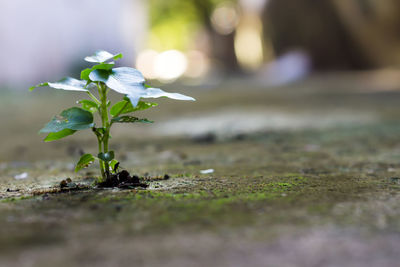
(315, 27)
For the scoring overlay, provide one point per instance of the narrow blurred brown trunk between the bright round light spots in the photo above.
(222, 46)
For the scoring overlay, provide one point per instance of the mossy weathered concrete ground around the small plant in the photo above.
(306, 174)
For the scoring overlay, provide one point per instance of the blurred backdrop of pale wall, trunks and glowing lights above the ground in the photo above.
(199, 41)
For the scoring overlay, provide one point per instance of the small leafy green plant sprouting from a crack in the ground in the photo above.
(103, 77)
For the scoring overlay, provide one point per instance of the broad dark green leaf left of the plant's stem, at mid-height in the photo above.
(73, 119)
